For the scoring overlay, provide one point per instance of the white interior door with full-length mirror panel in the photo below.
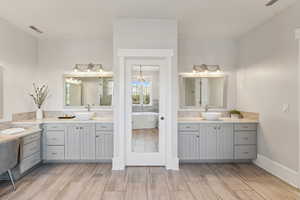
(145, 112)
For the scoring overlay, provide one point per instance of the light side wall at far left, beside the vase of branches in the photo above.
(18, 58)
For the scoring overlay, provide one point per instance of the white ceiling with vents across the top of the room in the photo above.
(94, 18)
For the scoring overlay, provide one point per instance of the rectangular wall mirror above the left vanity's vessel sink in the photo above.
(93, 91)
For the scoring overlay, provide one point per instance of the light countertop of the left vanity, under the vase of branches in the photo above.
(59, 121)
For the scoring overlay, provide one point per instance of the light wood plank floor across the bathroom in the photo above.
(192, 182)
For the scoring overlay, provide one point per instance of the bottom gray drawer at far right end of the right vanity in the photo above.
(245, 152)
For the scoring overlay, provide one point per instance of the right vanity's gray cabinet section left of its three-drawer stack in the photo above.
(204, 142)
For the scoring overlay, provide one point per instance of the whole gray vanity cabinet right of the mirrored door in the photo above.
(217, 141)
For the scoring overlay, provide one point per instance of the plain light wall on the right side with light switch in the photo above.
(267, 79)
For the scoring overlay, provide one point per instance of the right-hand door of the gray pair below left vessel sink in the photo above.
(87, 140)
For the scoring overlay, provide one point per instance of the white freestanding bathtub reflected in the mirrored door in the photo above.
(144, 120)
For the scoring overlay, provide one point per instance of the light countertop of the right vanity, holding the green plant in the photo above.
(222, 120)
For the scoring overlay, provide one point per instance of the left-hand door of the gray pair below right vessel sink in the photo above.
(211, 141)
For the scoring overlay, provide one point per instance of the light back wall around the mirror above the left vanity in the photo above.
(58, 56)
